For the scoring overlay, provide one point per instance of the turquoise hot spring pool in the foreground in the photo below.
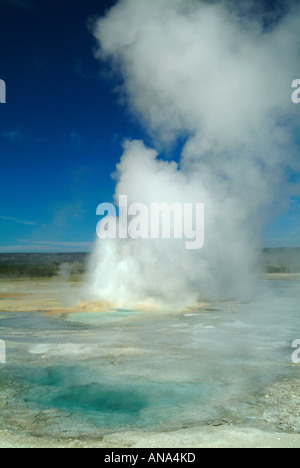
(133, 402)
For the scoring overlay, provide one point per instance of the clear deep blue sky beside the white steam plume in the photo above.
(61, 129)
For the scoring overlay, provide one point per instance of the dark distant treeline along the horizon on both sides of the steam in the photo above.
(38, 265)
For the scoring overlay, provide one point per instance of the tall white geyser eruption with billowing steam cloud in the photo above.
(219, 79)
